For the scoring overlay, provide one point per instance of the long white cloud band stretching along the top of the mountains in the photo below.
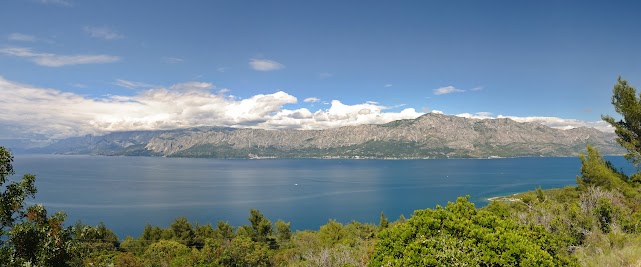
(27, 110)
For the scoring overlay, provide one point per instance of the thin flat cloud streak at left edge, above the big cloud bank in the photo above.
(54, 60)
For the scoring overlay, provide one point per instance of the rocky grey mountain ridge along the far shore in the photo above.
(428, 136)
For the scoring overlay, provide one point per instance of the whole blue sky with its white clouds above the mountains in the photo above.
(71, 67)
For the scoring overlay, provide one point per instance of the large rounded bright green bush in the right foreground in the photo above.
(461, 235)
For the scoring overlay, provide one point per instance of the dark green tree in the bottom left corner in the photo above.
(29, 236)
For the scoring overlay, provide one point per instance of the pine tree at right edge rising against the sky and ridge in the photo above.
(628, 130)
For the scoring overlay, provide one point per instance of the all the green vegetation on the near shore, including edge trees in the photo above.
(596, 223)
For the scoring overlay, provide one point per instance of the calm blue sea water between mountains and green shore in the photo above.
(128, 192)
